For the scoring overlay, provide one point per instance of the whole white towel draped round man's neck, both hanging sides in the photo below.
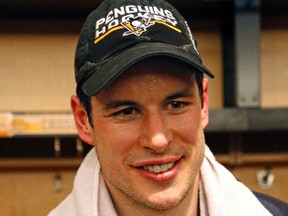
(220, 193)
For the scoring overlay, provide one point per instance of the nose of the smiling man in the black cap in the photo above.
(156, 133)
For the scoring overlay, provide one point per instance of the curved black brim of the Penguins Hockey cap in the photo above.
(110, 69)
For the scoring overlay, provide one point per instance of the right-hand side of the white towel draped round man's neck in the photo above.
(223, 195)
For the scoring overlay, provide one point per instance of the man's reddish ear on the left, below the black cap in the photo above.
(81, 120)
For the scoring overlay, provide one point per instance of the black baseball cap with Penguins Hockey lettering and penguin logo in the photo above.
(120, 33)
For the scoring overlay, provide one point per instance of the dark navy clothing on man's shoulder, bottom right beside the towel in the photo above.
(275, 206)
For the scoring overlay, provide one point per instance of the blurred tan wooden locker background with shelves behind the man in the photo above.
(244, 42)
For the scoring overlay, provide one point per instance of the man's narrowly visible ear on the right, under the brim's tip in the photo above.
(205, 105)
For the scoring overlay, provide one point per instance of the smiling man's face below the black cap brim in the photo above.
(148, 134)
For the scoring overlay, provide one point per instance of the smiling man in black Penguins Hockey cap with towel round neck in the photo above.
(142, 102)
